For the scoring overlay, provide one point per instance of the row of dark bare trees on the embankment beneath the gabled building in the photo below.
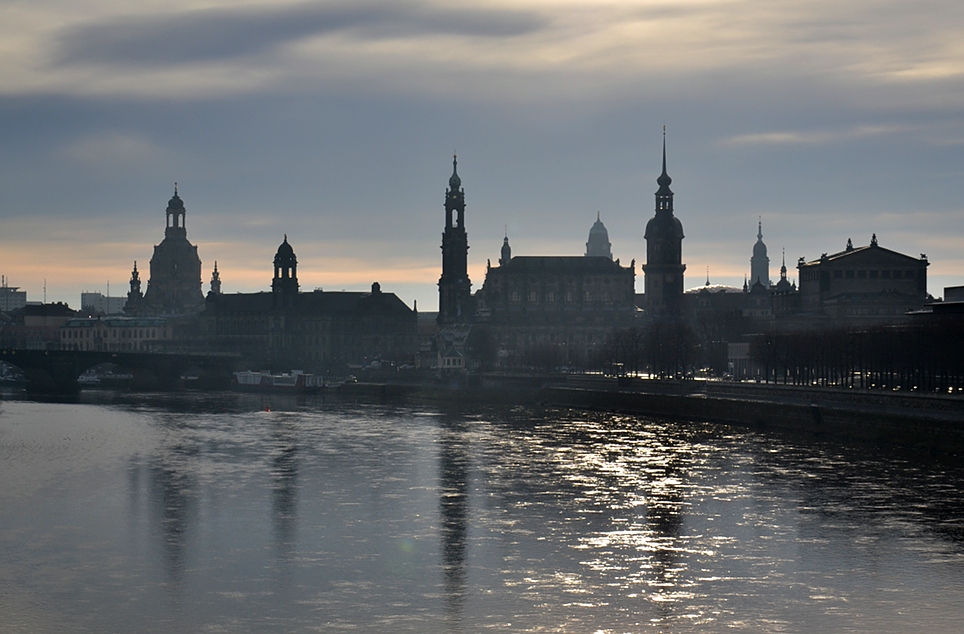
(927, 357)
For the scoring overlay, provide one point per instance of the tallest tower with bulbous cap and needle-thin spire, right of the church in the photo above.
(664, 252)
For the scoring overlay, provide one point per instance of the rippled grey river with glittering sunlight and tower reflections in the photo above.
(242, 513)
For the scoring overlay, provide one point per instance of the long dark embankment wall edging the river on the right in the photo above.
(929, 422)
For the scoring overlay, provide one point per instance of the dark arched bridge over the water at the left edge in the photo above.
(56, 371)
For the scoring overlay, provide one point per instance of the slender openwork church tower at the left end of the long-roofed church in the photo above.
(454, 286)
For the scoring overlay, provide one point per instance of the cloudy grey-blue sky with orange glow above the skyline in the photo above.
(335, 122)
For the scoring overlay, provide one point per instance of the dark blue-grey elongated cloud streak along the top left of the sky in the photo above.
(224, 33)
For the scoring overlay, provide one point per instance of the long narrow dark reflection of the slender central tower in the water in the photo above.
(454, 511)
